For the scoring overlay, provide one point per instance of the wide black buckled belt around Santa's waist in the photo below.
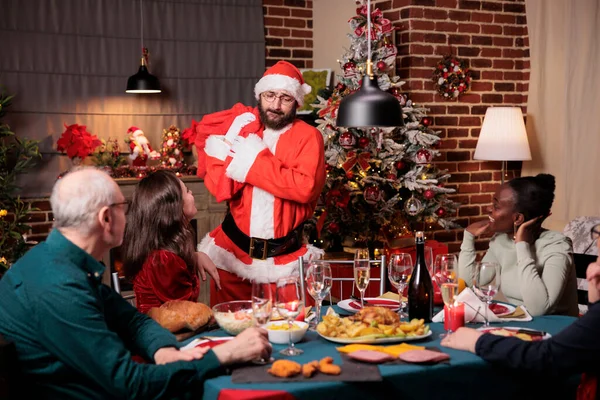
(262, 248)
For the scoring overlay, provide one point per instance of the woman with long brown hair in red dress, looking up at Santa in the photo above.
(158, 246)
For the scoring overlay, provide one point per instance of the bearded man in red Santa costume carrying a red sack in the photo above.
(270, 168)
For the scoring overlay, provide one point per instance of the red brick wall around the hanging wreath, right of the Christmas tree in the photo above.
(492, 36)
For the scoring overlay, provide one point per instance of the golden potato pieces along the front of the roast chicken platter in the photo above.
(334, 326)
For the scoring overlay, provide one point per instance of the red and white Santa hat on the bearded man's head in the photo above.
(283, 76)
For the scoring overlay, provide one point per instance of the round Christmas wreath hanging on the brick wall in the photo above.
(452, 77)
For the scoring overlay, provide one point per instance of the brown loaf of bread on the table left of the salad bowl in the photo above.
(178, 315)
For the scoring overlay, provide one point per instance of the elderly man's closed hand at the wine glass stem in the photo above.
(248, 345)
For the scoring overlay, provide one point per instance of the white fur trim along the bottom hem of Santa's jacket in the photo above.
(227, 261)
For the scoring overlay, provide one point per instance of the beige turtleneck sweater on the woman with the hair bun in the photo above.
(543, 278)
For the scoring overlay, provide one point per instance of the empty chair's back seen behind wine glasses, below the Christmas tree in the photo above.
(339, 264)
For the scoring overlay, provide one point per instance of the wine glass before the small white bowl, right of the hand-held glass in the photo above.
(289, 305)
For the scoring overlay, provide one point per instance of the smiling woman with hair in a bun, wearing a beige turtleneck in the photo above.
(537, 265)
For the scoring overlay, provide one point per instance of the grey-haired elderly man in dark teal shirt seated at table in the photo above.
(74, 336)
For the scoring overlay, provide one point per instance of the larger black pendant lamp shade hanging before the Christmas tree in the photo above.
(369, 107)
